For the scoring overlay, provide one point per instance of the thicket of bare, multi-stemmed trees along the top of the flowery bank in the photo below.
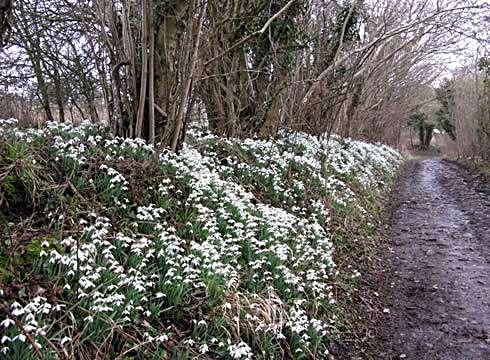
(255, 67)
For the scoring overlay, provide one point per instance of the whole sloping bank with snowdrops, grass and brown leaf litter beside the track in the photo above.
(231, 249)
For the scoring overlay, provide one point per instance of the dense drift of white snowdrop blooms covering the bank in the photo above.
(287, 235)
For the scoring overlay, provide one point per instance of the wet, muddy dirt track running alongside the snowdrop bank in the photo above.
(438, 292)
